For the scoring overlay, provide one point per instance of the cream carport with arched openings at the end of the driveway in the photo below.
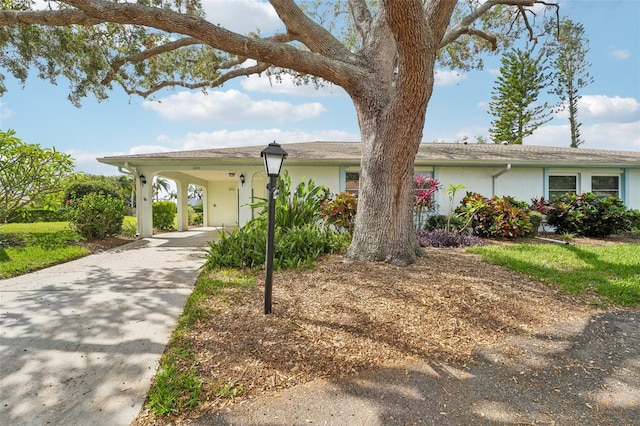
(229, 180)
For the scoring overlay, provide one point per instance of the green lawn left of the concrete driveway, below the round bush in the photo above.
(26, 247)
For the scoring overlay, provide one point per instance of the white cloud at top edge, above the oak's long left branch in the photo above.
(243, 16)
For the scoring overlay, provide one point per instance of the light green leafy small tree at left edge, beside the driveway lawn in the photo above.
(28, 172)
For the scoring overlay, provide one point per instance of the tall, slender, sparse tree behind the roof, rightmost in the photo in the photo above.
(571, 72)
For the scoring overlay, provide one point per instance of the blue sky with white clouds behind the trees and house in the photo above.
(251, 111)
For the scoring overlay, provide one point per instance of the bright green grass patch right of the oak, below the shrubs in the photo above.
(611, 271)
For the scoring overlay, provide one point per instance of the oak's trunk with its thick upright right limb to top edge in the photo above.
(391, 117)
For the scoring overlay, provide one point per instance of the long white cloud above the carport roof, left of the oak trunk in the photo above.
(231, 106)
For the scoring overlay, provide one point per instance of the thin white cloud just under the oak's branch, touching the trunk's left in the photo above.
(287, 86)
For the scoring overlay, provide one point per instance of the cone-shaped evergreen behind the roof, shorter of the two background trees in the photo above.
(522, 78)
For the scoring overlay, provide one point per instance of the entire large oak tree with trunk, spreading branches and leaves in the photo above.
(383, 54)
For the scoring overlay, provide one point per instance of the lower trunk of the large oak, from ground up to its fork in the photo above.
(391, 136)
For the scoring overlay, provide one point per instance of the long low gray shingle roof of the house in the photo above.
(428, 154)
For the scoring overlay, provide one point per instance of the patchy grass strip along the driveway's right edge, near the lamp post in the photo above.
(177, 385)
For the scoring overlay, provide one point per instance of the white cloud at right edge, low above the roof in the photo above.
(605, 108)
